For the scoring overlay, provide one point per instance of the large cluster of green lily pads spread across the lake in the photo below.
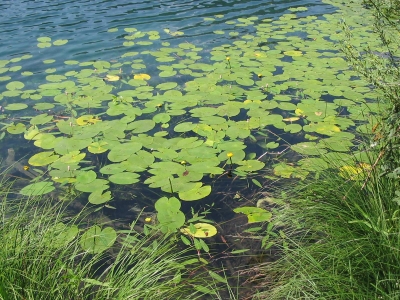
(175, 116)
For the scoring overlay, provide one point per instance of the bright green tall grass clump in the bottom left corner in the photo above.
(34, 264)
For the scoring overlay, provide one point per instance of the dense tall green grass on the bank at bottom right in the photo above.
(343, 240)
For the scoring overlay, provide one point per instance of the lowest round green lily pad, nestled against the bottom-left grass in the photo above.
(95, 240)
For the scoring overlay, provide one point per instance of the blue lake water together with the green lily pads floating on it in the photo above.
(191, 98)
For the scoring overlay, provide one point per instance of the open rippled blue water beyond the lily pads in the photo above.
(85, 22)
